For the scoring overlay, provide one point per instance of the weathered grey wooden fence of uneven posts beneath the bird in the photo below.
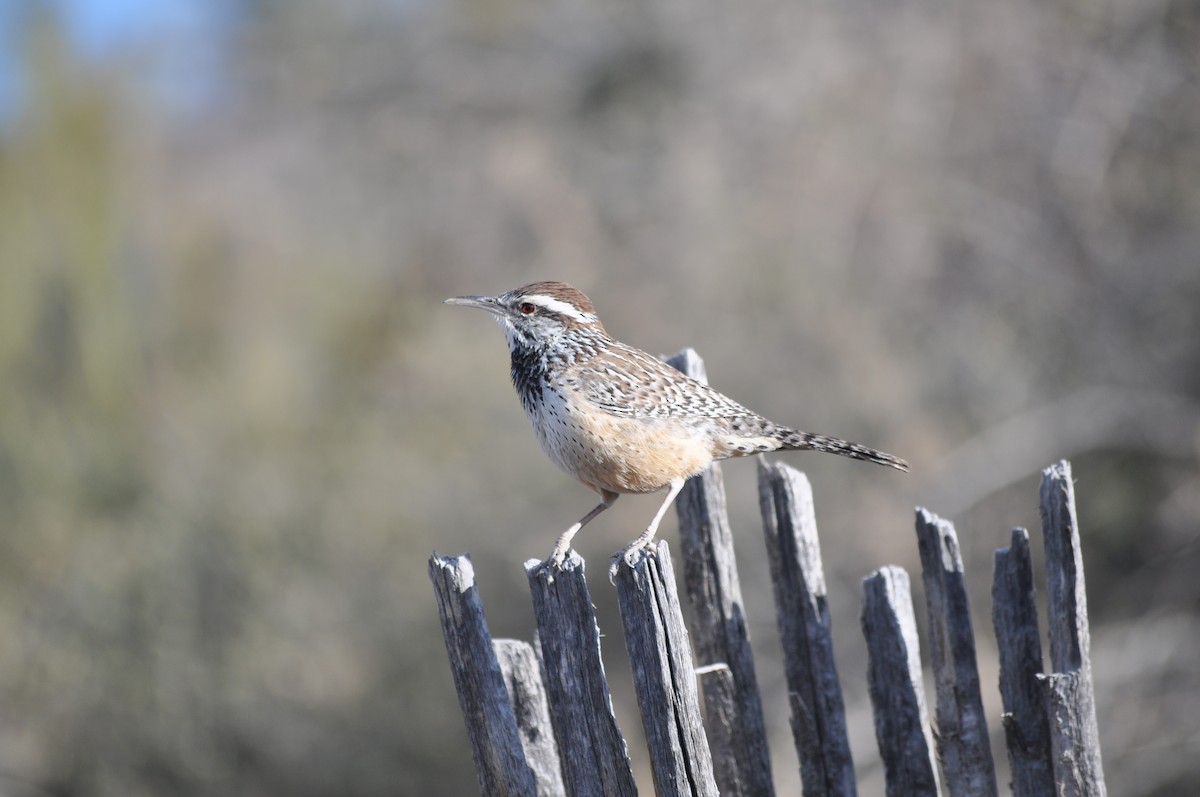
(541, 720)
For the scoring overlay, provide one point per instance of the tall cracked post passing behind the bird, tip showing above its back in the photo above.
(737, 733)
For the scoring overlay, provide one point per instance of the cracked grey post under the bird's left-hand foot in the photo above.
(595, 757)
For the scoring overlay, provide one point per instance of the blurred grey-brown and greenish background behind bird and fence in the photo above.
(236, 418)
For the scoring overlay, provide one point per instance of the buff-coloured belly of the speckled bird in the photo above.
(619, 454)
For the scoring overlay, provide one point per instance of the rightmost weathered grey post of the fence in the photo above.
(1075, 736)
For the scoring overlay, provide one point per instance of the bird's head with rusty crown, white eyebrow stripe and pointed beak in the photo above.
(538, 314)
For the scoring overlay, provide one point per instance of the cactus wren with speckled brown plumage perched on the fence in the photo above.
(619, 420)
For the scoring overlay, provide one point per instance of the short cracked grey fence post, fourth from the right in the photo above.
(898, 698)
